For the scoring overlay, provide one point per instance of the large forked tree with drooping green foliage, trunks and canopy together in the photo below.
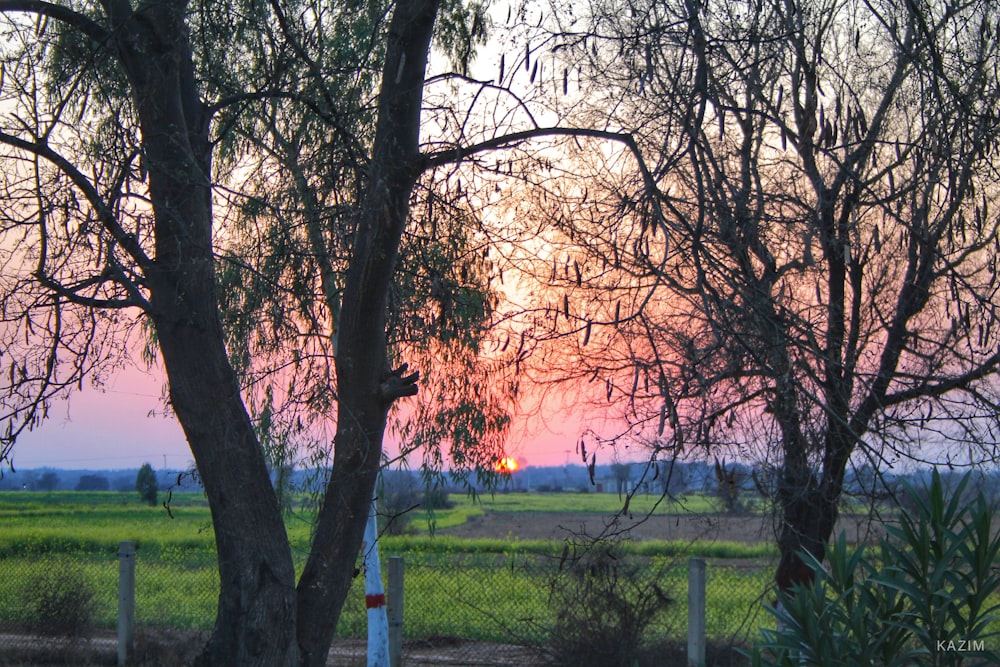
(231, 186)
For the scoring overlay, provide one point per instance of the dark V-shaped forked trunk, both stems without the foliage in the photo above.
(263, 620)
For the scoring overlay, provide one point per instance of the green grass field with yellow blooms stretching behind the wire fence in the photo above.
(492, 589)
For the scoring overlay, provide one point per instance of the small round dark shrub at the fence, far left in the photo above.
(59, 602)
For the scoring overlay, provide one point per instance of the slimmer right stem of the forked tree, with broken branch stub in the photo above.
(366, 386)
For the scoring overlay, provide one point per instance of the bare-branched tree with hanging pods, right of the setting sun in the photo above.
(815, 282)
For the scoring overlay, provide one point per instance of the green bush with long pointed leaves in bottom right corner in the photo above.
(929, 597)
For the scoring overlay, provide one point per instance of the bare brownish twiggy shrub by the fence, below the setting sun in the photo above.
(605, 605)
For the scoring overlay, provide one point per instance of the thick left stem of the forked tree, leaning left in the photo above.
(255, 622)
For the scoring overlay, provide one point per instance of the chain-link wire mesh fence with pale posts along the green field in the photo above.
(453, 603)
